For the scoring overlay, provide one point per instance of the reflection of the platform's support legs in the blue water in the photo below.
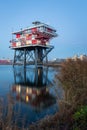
(33, 77)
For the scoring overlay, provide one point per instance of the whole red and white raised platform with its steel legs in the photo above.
(31, 45)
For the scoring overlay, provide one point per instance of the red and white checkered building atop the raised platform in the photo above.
(37, 35)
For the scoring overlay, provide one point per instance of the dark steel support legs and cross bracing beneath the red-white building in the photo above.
(34, 55)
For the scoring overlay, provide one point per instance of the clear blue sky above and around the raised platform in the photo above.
(68, 17)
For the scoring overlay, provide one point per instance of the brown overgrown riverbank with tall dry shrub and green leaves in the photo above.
(73, 109)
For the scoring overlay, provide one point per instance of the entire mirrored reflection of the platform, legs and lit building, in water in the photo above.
(32, 87)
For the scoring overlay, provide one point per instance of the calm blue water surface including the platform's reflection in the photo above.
(27, 95)
